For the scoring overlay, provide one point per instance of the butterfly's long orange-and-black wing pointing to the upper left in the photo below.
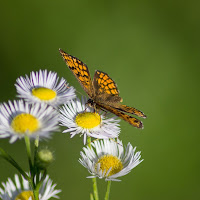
(80, 71)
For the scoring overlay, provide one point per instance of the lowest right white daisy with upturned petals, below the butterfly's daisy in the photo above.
(109, 159)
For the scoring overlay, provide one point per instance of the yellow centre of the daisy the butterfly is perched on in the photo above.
(88, 120)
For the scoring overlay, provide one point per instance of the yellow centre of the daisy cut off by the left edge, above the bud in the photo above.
(25, 122)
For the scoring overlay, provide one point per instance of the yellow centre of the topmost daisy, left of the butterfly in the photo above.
(43, 93)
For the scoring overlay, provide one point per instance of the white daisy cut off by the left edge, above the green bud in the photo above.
(18, 118)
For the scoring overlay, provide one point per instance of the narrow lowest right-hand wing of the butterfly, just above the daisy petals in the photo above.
(131, 120)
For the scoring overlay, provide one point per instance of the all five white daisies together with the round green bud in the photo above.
(44, 103)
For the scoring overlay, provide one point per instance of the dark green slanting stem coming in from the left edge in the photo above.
(7, 157)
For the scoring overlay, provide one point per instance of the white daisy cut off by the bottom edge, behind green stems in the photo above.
(20, 190)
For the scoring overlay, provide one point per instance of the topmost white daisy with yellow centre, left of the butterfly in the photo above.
(43, 86)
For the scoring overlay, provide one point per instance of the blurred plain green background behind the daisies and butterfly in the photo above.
(151, 49)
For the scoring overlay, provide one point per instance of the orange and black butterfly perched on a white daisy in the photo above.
(102, 91)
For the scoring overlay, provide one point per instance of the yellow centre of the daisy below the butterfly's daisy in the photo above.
(108, 161)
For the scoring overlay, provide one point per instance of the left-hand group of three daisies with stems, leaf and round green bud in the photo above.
(34, 116)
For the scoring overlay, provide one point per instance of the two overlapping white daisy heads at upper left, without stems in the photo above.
(35, 114)
